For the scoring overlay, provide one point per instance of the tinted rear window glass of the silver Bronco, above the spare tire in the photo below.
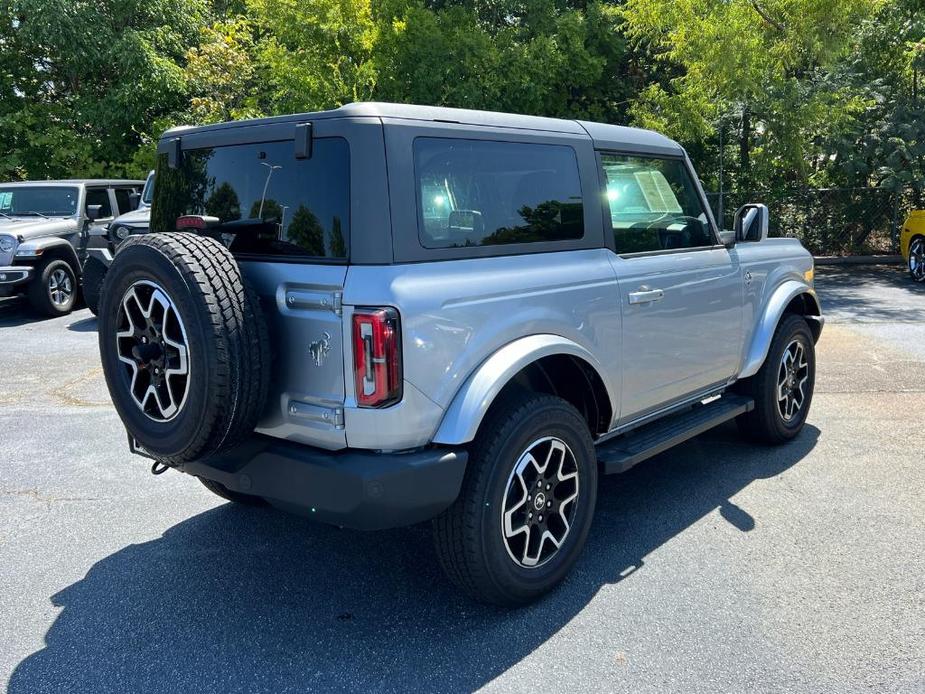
(262, 201)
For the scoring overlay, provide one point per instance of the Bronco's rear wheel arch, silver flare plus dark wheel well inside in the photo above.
(542, 363)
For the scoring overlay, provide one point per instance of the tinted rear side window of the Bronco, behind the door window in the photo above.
(485, 193)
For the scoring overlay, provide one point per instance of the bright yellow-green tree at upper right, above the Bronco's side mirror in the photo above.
(754, 66)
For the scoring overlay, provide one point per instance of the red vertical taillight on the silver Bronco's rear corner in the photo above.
(377, 356)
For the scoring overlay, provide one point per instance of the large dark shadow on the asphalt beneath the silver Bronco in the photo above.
(242, 599)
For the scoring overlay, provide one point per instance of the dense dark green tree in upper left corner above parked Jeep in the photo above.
(88, 79)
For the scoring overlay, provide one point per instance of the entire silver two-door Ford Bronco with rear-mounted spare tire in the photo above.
(385, 314)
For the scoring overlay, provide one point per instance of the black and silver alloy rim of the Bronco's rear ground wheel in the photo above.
(539, 502)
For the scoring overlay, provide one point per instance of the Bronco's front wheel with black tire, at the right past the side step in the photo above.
(783, 387)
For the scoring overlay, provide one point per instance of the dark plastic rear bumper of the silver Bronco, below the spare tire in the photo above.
(356, 489)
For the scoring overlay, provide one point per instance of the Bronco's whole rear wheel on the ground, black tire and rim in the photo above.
(525, 509)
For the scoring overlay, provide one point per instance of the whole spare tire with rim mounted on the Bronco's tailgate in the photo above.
(184, 346)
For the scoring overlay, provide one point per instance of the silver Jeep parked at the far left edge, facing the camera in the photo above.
(46, 234)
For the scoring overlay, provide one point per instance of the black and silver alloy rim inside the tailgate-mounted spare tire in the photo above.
(151, 342)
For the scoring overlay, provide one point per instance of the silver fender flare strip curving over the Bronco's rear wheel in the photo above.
(463, 417)
